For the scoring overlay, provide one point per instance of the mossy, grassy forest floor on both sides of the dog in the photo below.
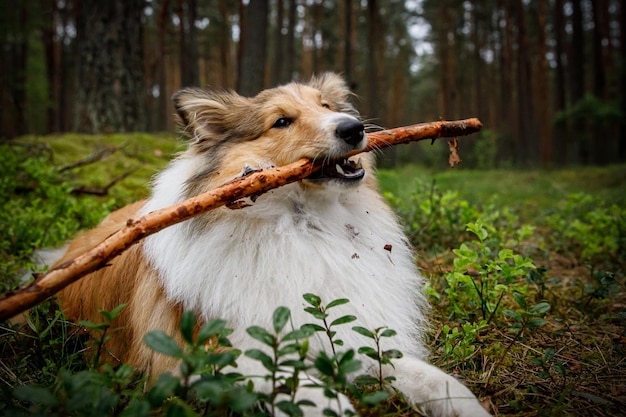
(529, 300)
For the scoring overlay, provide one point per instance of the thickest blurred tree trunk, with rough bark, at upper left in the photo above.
(110, 90)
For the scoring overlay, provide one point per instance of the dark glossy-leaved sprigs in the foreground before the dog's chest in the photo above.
(205, 383)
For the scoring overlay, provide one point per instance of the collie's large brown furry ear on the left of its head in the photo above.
(213, 115)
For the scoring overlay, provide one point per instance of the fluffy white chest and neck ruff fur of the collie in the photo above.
(335, 244)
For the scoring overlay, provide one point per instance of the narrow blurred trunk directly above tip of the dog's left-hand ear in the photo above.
(189, 72)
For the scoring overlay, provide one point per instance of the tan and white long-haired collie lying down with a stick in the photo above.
(330, 234)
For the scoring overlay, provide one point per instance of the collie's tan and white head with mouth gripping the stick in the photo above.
(274, 128)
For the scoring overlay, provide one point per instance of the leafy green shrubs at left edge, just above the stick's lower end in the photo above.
(38, 210)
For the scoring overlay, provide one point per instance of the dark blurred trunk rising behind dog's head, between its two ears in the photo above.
(253, 45)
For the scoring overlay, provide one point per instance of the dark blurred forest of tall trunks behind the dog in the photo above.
(546, 77)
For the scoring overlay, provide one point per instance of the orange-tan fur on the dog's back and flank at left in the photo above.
(118, 284)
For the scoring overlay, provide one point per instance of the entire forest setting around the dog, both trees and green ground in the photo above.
(525, 266)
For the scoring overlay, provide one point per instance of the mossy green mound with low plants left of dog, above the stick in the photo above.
(39, 207)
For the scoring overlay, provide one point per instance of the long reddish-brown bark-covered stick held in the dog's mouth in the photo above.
(254, 184)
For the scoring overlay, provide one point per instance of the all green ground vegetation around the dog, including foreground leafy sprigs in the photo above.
(527, 284)
